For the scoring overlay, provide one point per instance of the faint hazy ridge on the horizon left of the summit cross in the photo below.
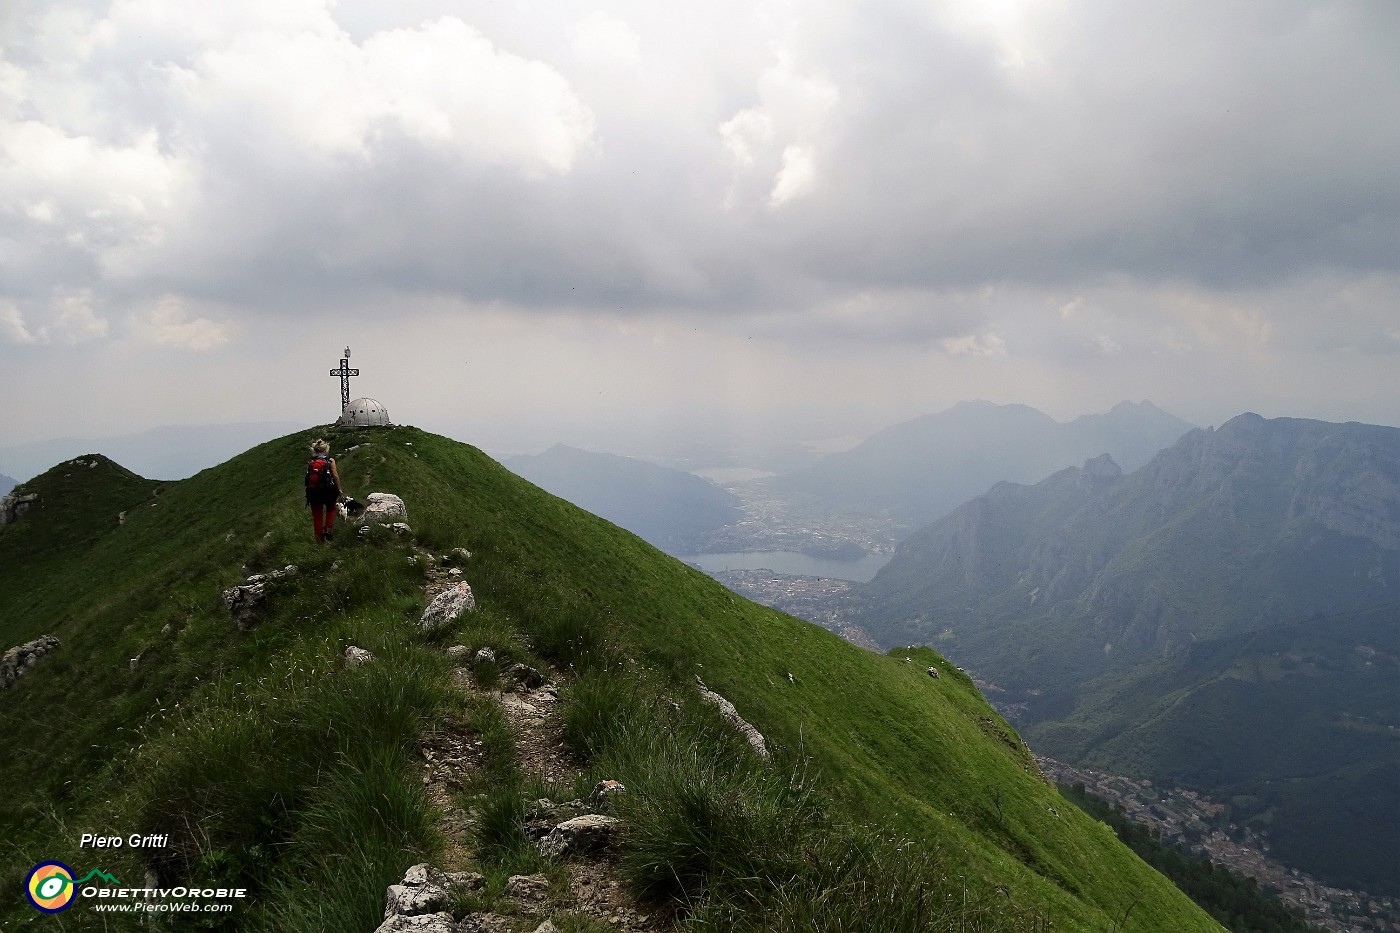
(173, 452)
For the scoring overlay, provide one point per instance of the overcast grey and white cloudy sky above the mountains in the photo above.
(530, 215)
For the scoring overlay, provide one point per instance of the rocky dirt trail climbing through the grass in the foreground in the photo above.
(582, 889)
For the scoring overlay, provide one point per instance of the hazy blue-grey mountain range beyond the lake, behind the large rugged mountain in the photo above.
(923, 469)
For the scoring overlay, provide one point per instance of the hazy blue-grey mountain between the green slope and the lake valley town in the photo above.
(667, 508)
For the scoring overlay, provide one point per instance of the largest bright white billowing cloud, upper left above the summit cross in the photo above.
(440, 85)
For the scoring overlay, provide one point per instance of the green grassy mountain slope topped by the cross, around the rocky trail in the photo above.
(275, 768)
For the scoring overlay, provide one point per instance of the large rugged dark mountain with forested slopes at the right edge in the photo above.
(1228, 617)
